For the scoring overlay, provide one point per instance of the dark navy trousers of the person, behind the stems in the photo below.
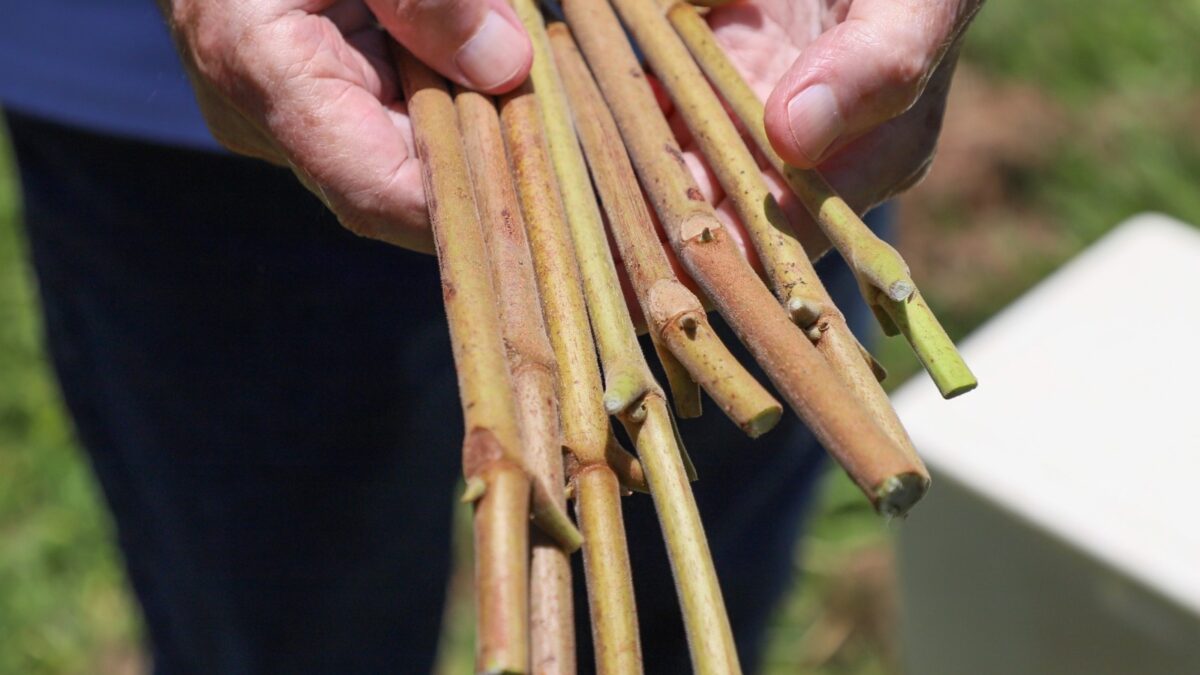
(269, 404)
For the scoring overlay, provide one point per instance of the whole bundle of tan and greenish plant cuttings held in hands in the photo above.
(526, 193)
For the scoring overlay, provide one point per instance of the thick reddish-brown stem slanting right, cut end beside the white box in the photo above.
(800, 373)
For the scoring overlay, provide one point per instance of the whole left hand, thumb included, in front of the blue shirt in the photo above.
(310, 85)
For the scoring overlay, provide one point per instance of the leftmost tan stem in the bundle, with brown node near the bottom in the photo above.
(493, 463)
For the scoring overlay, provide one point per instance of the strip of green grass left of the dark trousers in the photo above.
(64, 608)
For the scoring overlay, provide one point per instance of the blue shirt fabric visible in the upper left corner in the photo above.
(104, 65)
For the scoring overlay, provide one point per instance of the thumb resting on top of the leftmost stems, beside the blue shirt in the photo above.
(478, 44)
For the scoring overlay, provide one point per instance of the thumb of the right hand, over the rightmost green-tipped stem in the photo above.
(862, 73)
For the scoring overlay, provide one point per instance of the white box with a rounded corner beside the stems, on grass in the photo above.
(1061, 534)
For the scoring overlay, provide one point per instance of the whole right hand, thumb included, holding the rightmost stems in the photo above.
(856, 88)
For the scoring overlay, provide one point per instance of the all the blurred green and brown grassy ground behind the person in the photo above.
(1065, 120)
